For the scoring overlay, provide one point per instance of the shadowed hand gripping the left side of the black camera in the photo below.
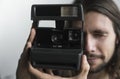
(23, 64)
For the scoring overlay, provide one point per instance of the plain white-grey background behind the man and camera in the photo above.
(15, 25)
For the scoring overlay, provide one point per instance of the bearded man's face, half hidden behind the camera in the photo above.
(100, 40)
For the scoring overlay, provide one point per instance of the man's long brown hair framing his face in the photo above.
(110, 9)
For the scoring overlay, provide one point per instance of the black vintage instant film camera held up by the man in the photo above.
(59, 47)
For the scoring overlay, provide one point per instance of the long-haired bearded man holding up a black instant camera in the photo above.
(102, 46)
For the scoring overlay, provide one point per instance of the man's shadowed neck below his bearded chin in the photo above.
(99, 75)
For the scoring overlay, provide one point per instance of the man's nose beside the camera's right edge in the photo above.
(89, 43)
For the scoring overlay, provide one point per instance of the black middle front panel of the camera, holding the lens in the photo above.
(54, 38)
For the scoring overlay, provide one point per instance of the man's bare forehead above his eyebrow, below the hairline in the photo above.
(95, 20)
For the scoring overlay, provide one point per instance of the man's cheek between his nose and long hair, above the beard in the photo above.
(106, 48)
